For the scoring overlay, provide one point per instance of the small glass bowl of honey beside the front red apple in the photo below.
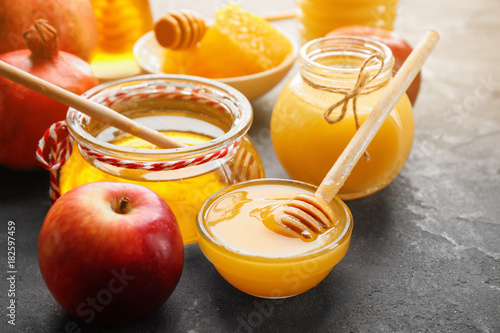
(254, 256)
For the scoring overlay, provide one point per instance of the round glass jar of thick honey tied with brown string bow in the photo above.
(309, 135)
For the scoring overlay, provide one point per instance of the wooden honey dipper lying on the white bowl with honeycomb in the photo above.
(183, 29)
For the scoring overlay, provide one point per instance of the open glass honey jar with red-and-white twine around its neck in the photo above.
(211, 118)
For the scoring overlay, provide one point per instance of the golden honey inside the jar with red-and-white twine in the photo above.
(184, 195)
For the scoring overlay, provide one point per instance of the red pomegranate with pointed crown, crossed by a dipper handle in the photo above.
(25, 114)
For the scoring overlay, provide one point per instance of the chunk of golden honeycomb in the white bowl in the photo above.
(238, 43)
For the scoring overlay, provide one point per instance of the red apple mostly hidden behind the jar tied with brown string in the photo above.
(398, 45)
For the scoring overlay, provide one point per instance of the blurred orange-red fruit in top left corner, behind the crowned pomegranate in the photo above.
(74, 21)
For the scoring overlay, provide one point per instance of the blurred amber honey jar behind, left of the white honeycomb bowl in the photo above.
(120, 23)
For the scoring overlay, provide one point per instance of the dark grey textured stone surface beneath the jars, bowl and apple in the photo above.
(425, 252)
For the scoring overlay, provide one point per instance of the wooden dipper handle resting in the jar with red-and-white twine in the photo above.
(92, 109)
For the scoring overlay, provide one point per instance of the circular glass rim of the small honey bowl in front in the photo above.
(341, 238)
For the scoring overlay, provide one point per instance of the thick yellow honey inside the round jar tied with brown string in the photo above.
(307, 146)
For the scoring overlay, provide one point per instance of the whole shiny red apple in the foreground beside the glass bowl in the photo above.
(110, 253)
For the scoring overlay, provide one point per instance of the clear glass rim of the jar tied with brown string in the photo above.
(317, 46)
